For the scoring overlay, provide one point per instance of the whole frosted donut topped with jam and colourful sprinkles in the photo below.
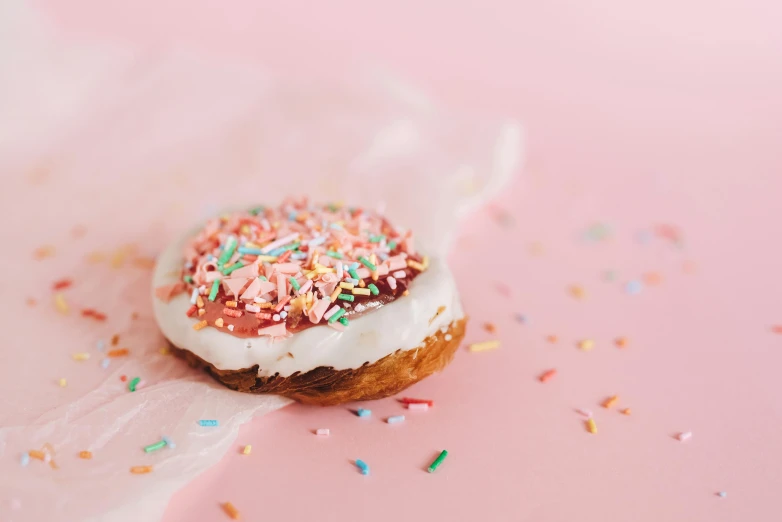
(323, 304)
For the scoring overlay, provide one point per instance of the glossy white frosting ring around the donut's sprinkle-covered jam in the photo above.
(402, 324)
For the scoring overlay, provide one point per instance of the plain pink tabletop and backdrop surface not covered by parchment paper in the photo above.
(636, 115)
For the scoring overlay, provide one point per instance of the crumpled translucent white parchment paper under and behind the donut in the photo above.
(106, 154)
